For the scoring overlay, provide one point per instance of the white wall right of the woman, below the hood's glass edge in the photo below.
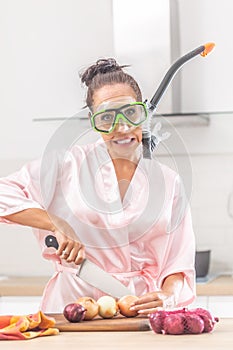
(204, 158)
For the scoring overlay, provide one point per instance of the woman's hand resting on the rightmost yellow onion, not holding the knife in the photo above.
(149, 302)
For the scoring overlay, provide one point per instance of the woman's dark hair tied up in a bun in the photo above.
(107, 72)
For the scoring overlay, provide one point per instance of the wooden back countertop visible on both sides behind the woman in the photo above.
(33, 286)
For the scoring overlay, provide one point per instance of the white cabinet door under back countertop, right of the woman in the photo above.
(221, 306)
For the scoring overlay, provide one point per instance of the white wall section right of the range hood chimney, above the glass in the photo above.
(206, 83)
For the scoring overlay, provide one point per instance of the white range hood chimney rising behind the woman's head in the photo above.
(142, 39)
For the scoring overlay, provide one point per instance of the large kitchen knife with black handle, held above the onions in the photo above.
(94, 275)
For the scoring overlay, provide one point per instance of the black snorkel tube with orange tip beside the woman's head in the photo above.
(148, 140)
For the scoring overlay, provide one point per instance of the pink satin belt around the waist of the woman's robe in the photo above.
(149, 272)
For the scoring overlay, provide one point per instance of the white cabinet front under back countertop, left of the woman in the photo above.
(19, 305)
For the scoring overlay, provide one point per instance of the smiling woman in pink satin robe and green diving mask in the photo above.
(105, 202)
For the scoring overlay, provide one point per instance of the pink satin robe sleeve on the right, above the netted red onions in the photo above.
(180, 253)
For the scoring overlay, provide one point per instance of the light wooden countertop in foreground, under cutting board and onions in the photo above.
(220, 338)
